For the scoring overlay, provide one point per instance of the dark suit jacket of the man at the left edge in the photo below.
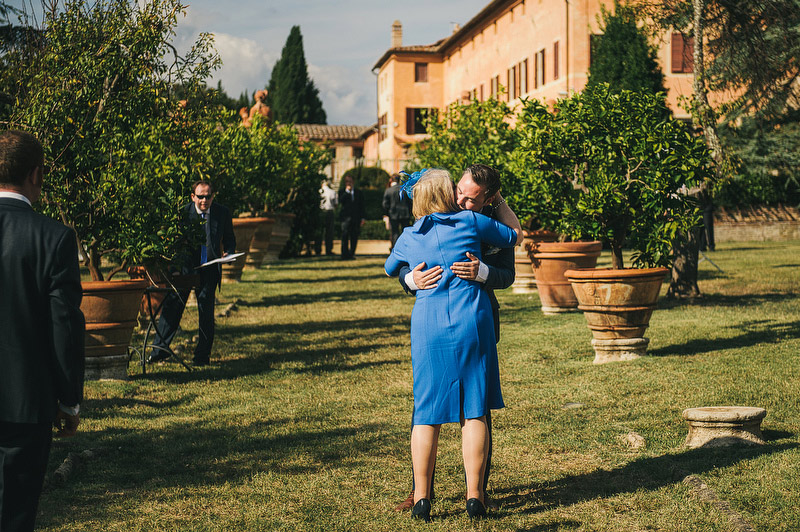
(41, 345)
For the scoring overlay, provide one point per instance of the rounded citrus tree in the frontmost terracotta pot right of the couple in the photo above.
(620, 165)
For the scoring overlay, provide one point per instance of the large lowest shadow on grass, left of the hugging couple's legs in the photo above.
(163, 466)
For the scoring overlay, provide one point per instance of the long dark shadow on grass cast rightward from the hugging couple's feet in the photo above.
(644, 473)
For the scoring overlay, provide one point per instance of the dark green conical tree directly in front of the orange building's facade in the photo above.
(622, 55)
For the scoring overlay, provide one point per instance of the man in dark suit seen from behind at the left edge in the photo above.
(41, 348)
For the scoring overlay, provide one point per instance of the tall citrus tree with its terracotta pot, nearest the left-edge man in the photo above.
(96, 90)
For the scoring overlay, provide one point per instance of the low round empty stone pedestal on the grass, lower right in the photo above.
(720, 426)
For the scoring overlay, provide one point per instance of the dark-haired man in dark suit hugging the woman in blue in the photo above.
(478, 190)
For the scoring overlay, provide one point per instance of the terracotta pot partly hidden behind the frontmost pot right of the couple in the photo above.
(549, 261)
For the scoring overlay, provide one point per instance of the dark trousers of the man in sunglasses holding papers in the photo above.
(175, 304)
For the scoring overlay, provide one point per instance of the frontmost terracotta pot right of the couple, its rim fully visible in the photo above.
(617, 305)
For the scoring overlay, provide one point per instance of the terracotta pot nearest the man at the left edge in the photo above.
(110, 309)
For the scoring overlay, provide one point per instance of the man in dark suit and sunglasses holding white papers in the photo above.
(220, 241)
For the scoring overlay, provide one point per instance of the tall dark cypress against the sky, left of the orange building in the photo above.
(292, 94)
